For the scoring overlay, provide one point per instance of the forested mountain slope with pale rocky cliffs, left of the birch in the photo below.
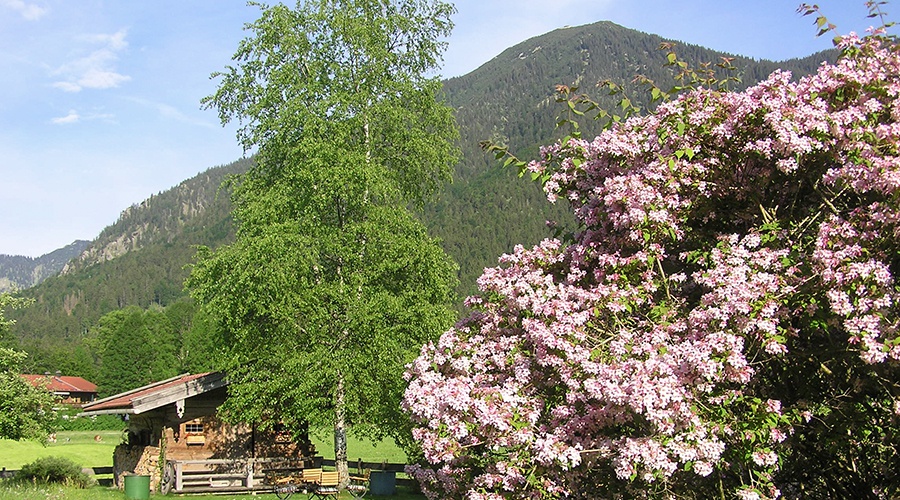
(138, 261)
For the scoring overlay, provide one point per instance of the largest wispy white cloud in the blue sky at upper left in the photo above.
(97, 69)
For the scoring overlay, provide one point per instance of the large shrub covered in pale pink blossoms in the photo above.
(725, 319)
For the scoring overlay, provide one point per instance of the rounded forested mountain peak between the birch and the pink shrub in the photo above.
(511, 99)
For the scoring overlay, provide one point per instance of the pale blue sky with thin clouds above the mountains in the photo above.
(100, 99)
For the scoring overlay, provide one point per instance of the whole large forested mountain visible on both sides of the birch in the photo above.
(141, 259)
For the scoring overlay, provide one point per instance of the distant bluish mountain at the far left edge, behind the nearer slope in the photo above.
(18, 272)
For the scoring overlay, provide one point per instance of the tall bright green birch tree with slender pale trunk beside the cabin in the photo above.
(332, 285)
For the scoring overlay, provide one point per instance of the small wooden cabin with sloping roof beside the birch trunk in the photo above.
(175, 437)
